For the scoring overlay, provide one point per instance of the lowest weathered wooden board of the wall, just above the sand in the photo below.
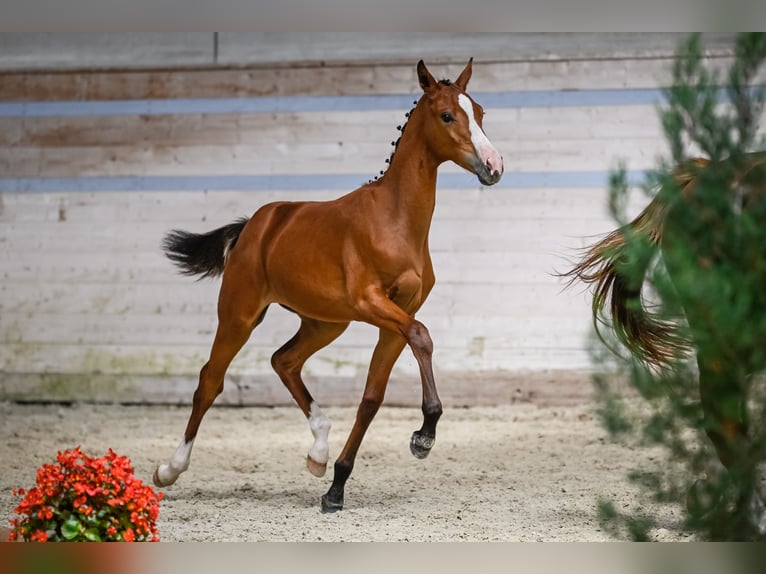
(543, 388)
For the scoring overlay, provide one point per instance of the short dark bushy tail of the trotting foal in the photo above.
(202, 254)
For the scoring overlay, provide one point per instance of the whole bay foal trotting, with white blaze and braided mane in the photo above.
(361, 257)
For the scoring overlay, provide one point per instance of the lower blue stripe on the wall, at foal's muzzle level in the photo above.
(305, 182)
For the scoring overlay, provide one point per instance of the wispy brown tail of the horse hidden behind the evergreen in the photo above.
(616, 271)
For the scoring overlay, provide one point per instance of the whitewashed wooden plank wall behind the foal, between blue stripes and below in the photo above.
(90, 307)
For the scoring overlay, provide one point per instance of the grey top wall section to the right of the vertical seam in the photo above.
(434, 48)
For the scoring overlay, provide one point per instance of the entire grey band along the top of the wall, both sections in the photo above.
(64, 51)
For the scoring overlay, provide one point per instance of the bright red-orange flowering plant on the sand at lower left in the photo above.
(87, 499)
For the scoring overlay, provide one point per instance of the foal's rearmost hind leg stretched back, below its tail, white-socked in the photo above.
(238, 315)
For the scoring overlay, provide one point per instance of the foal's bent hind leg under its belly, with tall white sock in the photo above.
(288, 362)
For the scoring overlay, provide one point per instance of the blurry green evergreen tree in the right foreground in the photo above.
(682, 289)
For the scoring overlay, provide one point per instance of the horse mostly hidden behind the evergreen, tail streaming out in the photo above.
(690, 234)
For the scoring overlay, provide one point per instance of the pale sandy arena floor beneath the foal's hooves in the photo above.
(514, 473)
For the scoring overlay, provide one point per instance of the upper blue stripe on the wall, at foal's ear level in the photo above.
(534, 99)
